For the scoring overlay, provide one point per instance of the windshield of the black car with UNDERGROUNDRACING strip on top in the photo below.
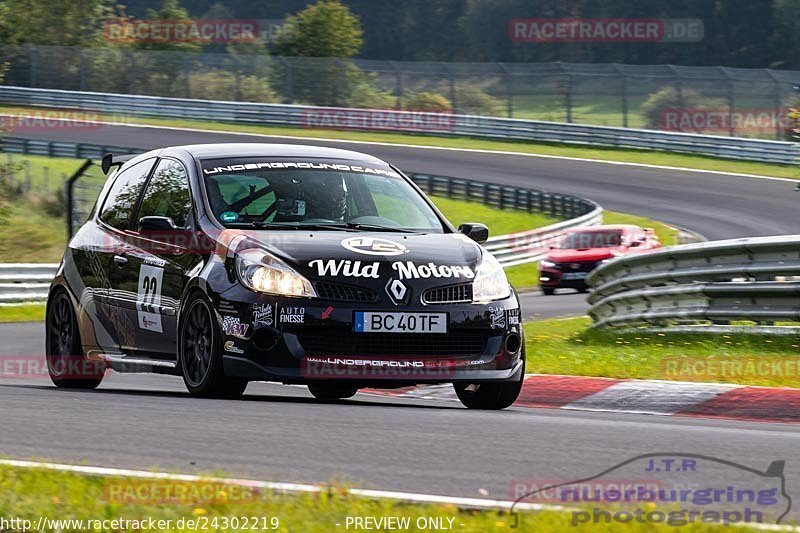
(267, 192)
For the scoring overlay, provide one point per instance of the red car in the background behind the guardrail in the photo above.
(581, 250)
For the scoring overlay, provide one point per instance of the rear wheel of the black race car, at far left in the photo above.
(66, 363)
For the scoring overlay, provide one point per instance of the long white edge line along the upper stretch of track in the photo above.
(441, 148)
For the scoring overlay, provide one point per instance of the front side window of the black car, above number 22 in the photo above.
(167, 193)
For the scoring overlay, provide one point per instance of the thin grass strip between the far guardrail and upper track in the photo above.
(613, 154)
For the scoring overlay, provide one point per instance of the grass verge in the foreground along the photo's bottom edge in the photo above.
(30, 493)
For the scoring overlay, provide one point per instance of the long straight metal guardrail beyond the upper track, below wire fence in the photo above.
(404, 121)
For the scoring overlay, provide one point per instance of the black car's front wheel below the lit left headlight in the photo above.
(200, 354)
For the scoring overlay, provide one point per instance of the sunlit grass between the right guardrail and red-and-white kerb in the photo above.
(568, 346)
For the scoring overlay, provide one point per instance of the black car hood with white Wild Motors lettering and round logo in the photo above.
(347, 257)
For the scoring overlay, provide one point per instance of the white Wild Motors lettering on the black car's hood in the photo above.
(404, 269)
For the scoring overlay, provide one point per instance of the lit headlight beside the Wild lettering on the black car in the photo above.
(261, 271)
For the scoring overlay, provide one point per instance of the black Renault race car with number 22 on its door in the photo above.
(229, 263)
